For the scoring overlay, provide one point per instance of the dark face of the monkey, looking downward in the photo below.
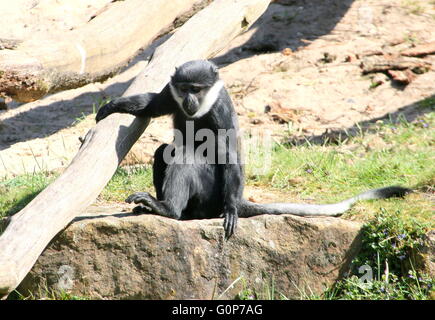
(190, 96)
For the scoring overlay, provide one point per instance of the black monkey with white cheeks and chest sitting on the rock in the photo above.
(207, 187)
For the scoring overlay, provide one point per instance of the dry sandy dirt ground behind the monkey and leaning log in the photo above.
(301, 59)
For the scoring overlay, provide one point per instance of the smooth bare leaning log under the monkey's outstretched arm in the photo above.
(105, 145)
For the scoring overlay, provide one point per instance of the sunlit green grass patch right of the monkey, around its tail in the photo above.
(393, 154)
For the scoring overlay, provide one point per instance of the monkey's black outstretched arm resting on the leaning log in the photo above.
(141, 105)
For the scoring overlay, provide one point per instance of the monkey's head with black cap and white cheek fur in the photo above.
(195, 86)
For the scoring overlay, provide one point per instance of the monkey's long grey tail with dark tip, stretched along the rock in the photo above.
(249, 209)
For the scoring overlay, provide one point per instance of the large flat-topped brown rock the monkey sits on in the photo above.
(125, 256)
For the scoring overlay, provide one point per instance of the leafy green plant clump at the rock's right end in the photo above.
(391, 248)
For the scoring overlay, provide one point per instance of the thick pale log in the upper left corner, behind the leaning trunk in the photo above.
(32, 68)
